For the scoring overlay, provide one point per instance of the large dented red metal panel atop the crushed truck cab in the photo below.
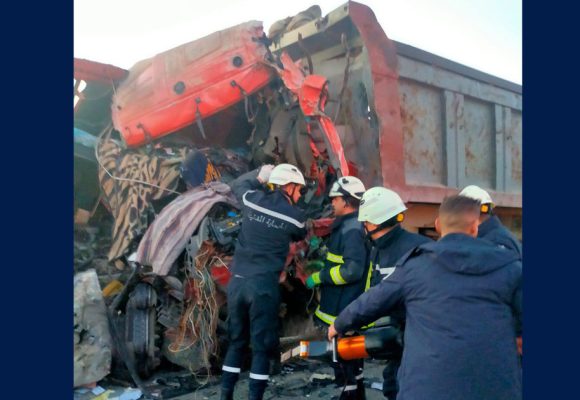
(195, 80)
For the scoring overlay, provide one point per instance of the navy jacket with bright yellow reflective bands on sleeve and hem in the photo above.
(344, 275)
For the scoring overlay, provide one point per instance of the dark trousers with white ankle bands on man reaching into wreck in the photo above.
(253, 304)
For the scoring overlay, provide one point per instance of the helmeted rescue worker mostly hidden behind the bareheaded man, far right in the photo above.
(490, 227)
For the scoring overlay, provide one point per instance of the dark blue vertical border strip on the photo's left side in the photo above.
(37, 200)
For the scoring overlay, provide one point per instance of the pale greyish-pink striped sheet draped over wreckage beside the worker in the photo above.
(168, 235)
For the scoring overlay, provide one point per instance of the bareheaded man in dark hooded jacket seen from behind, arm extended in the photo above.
(462, 296)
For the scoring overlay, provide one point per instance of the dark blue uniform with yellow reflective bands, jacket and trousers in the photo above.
(343, 279)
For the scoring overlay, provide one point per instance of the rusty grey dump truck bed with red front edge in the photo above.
(438, 125)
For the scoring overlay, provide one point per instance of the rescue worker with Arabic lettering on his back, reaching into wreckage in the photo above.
(271, 220)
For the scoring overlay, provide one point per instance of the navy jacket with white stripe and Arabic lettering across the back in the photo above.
(269, 224)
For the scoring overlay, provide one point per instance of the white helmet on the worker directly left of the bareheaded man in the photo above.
(380, 204)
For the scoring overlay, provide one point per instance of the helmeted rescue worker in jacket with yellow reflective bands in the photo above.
(343, 277)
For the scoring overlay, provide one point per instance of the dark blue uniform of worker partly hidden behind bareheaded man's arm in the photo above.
(385, 252)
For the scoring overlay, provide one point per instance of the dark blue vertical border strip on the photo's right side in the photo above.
(550, 223)
